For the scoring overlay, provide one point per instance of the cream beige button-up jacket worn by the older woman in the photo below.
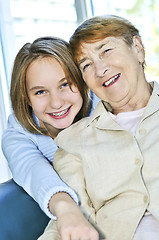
(115, 174)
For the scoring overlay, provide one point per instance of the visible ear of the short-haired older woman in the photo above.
(138, 45)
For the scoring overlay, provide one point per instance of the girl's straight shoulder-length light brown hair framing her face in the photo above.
(43, 48)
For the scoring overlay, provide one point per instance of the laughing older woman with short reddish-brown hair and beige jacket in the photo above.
(112, 158)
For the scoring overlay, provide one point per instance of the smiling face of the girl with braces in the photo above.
(52, 100)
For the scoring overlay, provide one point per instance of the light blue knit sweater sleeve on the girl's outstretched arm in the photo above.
(29, 166)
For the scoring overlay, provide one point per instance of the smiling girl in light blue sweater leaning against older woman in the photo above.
(47, 95)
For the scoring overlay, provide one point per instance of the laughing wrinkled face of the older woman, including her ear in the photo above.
(112, 69)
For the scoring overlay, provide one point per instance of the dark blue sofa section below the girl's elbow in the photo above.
(20, 216)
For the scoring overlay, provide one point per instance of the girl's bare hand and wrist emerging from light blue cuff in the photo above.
(71, 223)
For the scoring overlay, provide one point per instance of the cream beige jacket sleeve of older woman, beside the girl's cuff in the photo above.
(69, 167)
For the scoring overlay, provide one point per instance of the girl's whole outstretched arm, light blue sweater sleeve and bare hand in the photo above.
(29, 157)
